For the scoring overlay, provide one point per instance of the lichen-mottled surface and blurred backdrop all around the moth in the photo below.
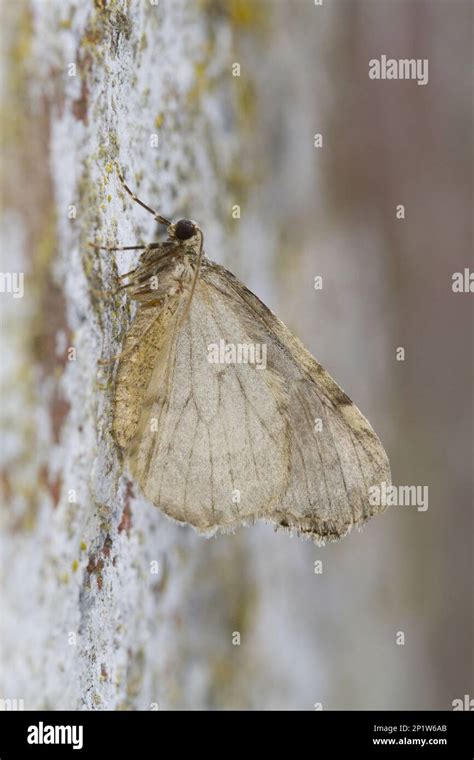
(87, 620)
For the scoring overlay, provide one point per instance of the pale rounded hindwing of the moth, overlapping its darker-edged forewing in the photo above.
(207, 432)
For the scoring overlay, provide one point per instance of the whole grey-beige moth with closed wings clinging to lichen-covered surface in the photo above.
(220, 444)
